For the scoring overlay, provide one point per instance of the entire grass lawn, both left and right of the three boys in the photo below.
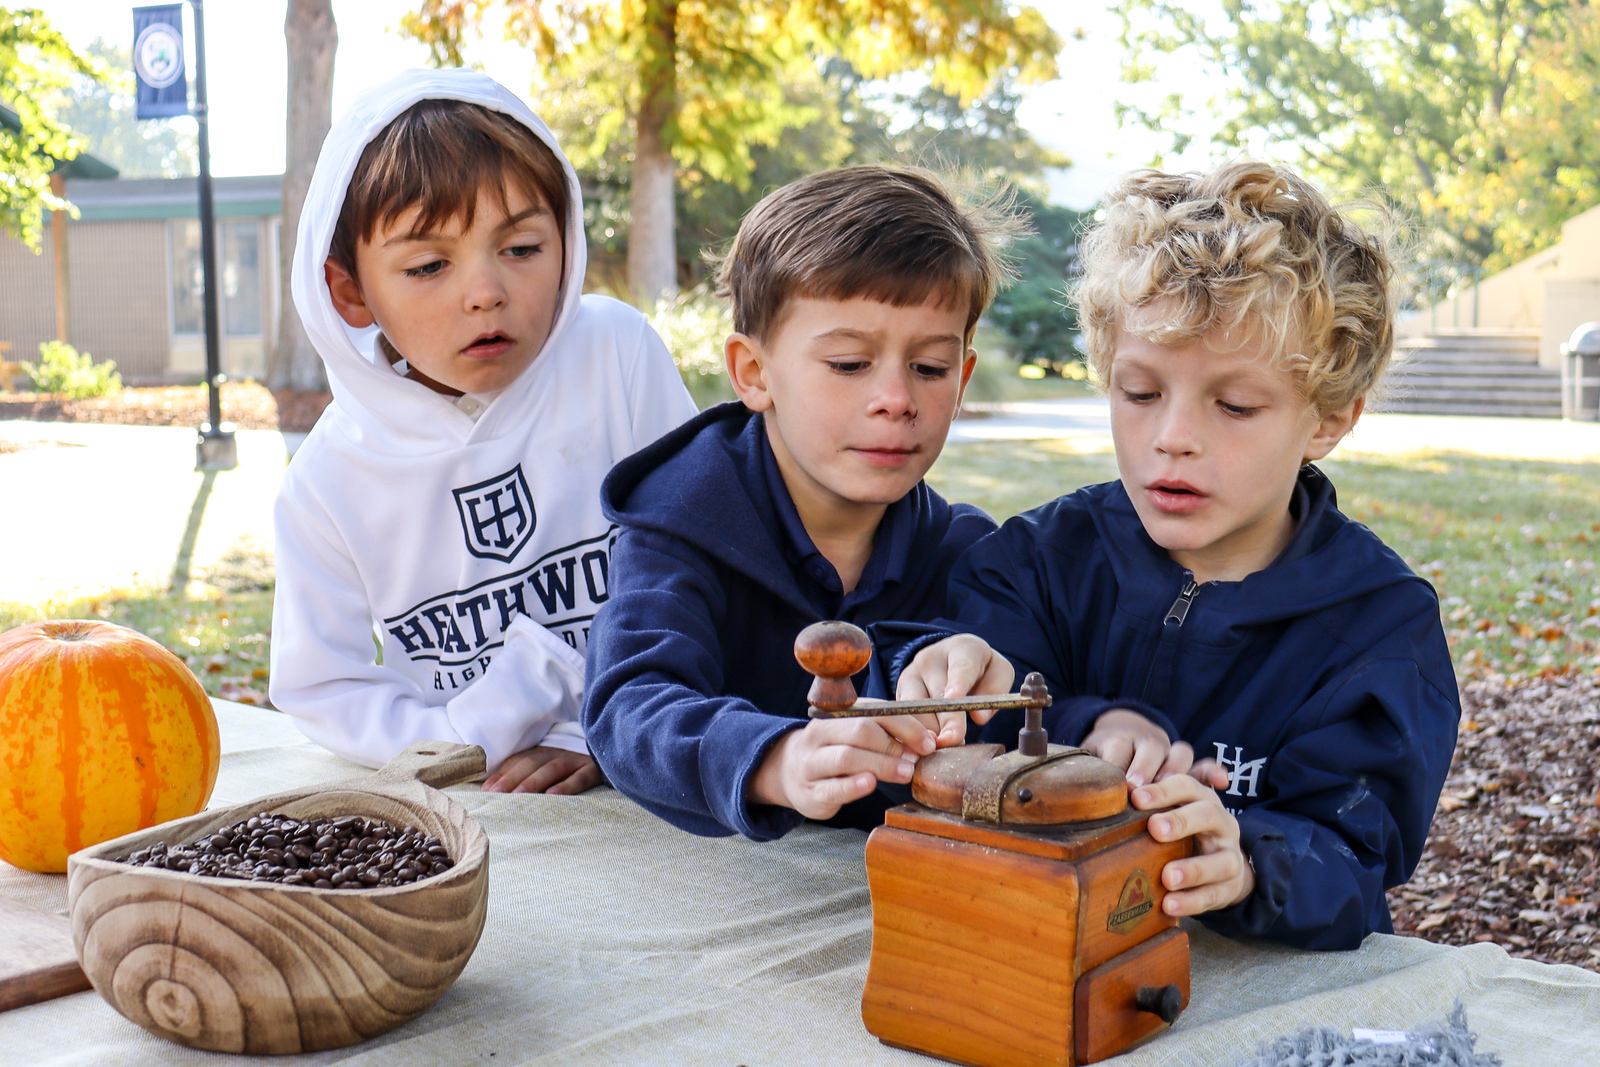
(1510, 545)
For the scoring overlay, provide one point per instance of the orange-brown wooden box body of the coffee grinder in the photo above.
(1018, 948)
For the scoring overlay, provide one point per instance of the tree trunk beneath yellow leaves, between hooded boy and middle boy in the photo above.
(652, 239)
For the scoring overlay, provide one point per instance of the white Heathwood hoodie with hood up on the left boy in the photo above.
(473, 549)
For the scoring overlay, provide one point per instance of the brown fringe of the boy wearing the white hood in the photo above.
(438, 156)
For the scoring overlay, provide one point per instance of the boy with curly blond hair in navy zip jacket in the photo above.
(1215, 601)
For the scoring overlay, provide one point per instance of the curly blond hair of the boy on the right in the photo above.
(1249, 250)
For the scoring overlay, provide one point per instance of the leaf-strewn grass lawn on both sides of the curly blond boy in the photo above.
(1510, 545)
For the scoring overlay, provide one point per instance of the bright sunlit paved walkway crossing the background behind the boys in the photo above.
(94, 508)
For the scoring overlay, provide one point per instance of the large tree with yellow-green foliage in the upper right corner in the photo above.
(1473, 116)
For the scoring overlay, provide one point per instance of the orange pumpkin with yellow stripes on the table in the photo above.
(103, 732)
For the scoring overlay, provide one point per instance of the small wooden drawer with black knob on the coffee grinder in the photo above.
(1132, 997)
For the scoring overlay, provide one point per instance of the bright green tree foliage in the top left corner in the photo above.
(36, 63)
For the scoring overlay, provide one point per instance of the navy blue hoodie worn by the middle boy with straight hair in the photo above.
(692, 671)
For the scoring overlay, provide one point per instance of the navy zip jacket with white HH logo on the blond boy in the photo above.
(1322, 684)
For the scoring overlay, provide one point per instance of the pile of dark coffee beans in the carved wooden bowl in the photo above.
(346, 853)
